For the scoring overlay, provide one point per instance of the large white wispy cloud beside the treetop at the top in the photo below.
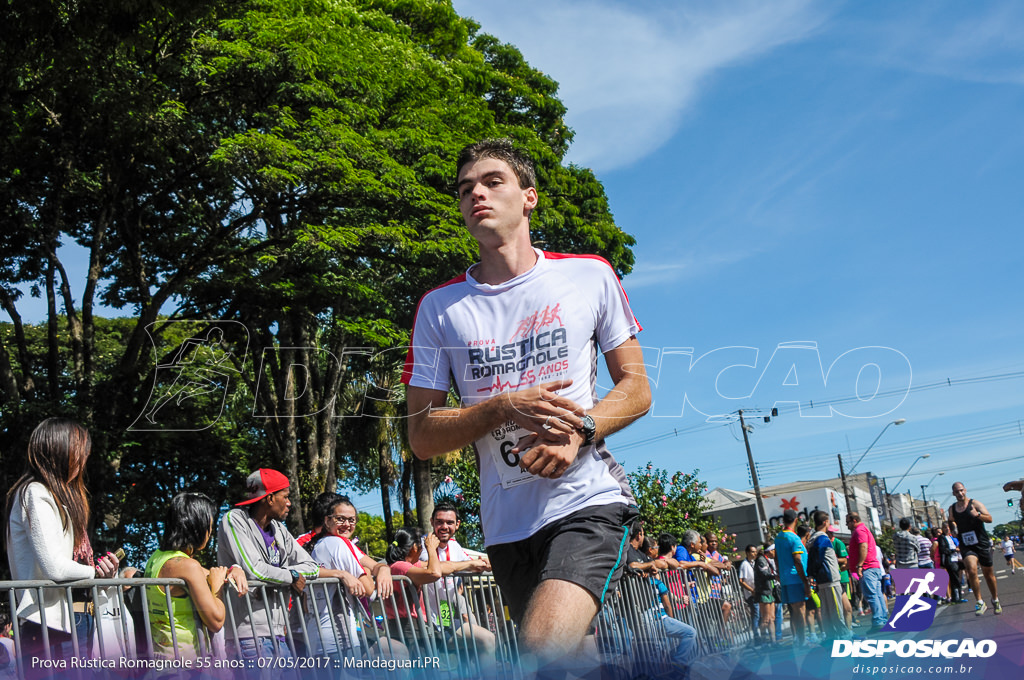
(629, 73)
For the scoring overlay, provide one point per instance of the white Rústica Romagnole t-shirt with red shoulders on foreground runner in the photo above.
(550, 323)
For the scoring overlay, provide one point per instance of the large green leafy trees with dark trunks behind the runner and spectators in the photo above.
(280, 171)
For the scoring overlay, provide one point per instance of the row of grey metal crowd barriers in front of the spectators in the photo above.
(326, 632)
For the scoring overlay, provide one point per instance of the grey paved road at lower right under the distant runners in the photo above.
(956, 622)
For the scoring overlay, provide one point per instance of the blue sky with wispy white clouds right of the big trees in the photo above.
(842, 175)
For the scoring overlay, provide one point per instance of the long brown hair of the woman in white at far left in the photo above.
(58, 451)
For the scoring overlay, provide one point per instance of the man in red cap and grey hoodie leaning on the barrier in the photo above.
(254, 537)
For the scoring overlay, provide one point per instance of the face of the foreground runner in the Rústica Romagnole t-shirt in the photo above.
(492, 201)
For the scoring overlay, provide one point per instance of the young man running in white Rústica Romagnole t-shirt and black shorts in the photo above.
(520, 334)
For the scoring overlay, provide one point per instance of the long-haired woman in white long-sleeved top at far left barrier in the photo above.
(48, 519)
